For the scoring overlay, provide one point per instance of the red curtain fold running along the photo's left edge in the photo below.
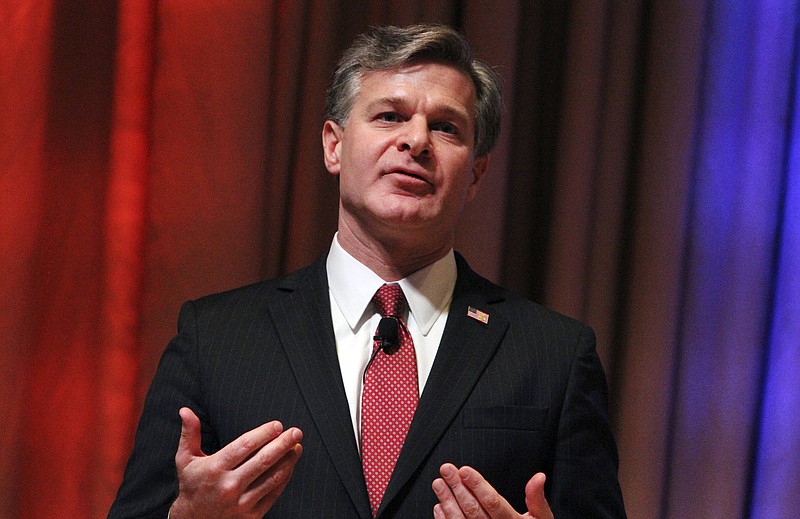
(25, 60)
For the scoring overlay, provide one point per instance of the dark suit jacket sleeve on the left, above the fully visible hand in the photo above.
(150, 483)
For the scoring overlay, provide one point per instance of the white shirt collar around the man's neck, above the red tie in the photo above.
(352, 284)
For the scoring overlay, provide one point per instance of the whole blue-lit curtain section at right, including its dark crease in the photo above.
(735, 443)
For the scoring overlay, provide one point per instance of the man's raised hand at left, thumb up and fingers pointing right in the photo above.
(241, 480)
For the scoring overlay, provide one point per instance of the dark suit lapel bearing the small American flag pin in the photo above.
(466, 348)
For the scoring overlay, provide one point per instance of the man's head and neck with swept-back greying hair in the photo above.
(411, 120)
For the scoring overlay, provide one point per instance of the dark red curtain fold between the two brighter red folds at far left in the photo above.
(59, 374)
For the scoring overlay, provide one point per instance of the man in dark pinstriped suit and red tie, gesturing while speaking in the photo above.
(467, 402)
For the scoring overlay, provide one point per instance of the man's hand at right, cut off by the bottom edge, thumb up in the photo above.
(463, 493)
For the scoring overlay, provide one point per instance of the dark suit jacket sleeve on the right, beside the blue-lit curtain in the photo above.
(584, 479)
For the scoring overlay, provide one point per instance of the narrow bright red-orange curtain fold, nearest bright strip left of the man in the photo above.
(125, 215)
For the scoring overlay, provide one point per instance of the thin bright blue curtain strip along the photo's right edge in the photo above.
(776, 491)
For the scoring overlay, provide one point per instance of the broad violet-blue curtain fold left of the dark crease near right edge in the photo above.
(733, 227)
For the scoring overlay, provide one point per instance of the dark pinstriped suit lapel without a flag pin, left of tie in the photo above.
(303, 320)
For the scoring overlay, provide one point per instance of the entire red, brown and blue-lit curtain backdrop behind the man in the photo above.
(647, 182)
